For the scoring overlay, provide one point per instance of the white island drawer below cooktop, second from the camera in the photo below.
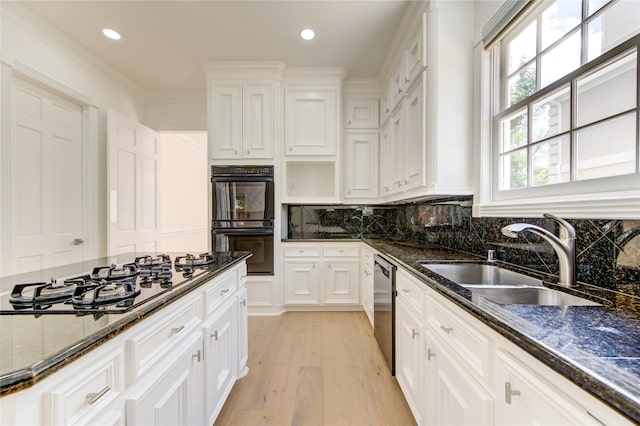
(165, 329)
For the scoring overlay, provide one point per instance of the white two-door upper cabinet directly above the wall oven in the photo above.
(241, 121)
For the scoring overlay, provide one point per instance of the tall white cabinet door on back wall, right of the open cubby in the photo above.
(361, 165)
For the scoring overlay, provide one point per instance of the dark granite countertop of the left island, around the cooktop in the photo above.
(35, 346)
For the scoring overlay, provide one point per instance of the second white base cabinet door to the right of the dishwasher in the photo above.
(453, 397)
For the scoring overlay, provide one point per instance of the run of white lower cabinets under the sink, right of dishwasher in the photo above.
(453, 369)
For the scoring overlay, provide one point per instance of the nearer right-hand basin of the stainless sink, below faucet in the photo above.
(530, 296)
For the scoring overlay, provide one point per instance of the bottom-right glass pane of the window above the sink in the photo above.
(607, 149)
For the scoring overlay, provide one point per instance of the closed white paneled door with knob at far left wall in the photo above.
(46, 179)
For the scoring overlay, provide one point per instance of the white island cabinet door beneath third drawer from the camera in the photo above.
(220, 348)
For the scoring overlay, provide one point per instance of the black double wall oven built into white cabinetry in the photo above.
(243, 213)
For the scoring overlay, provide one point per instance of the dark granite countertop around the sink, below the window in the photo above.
(597, 348)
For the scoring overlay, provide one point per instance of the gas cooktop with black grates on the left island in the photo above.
(111, 288)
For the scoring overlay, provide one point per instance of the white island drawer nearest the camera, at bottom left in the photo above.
(89, 389)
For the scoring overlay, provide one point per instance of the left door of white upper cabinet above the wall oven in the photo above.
(225, 121)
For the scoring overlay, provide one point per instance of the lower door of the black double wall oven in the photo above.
(261, 263)
